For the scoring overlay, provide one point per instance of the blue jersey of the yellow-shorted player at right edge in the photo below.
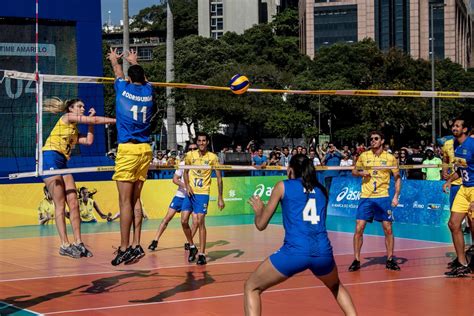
(464, 161)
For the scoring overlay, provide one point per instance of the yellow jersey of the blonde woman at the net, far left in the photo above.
(62, 138)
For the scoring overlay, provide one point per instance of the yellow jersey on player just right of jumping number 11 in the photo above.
(200, 180)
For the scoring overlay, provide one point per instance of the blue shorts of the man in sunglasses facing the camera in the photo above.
(379, 209)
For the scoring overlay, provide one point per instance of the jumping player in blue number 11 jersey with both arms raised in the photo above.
(134, 108)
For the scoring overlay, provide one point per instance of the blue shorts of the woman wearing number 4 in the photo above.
(291, 264)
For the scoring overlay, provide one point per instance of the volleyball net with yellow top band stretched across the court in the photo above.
(26, 124)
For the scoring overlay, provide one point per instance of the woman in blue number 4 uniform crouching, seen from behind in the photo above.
(306, 244)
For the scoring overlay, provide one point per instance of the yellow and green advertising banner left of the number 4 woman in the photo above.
(19, 203)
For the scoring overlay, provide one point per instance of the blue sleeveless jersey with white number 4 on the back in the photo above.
(304, 220)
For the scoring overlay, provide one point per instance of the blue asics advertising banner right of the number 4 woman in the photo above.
(421, 202)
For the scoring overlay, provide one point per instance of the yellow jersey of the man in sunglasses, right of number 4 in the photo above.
(378, 183)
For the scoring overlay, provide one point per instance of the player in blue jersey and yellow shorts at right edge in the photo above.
(464, 162)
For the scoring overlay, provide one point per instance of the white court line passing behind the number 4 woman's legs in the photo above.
(190, 265)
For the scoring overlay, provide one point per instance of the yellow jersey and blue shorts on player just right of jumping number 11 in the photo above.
(199, 181)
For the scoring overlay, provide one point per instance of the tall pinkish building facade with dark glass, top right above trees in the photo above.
(405, 24)
